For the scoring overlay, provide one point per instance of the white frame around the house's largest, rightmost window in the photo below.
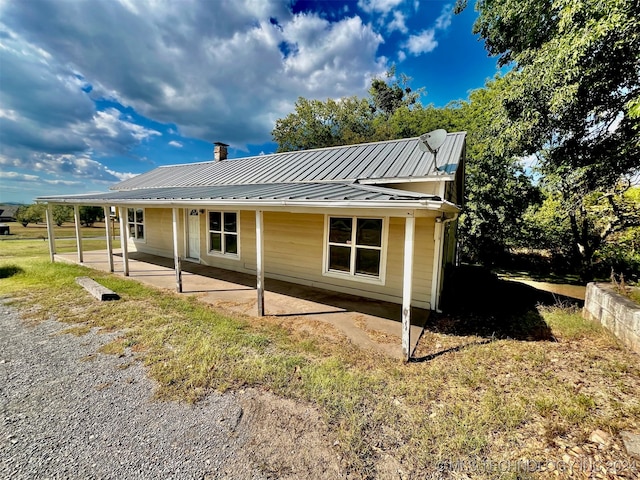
(351, 275)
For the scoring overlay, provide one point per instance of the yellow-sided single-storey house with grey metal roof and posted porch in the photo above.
(376, 220)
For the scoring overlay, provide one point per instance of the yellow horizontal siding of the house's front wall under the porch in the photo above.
(294, 252)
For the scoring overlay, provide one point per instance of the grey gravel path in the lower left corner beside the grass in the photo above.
(69, 412)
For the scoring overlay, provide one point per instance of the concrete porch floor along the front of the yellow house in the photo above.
(370, 324)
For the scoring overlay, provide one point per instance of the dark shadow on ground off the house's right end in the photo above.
(476, 302)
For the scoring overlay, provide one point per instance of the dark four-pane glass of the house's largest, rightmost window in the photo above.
(355, 247)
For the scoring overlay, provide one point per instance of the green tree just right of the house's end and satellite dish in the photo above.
(497, 191)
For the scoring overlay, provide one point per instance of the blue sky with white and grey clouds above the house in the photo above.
(95, 91)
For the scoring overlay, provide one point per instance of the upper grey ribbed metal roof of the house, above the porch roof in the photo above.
(383, 161)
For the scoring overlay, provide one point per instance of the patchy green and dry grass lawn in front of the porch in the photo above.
(489, 405)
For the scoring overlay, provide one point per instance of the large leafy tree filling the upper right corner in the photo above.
(572, 96)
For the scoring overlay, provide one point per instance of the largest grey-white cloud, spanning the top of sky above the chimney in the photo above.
(215, 69)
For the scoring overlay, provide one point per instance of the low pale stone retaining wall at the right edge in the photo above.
(615, 312)
